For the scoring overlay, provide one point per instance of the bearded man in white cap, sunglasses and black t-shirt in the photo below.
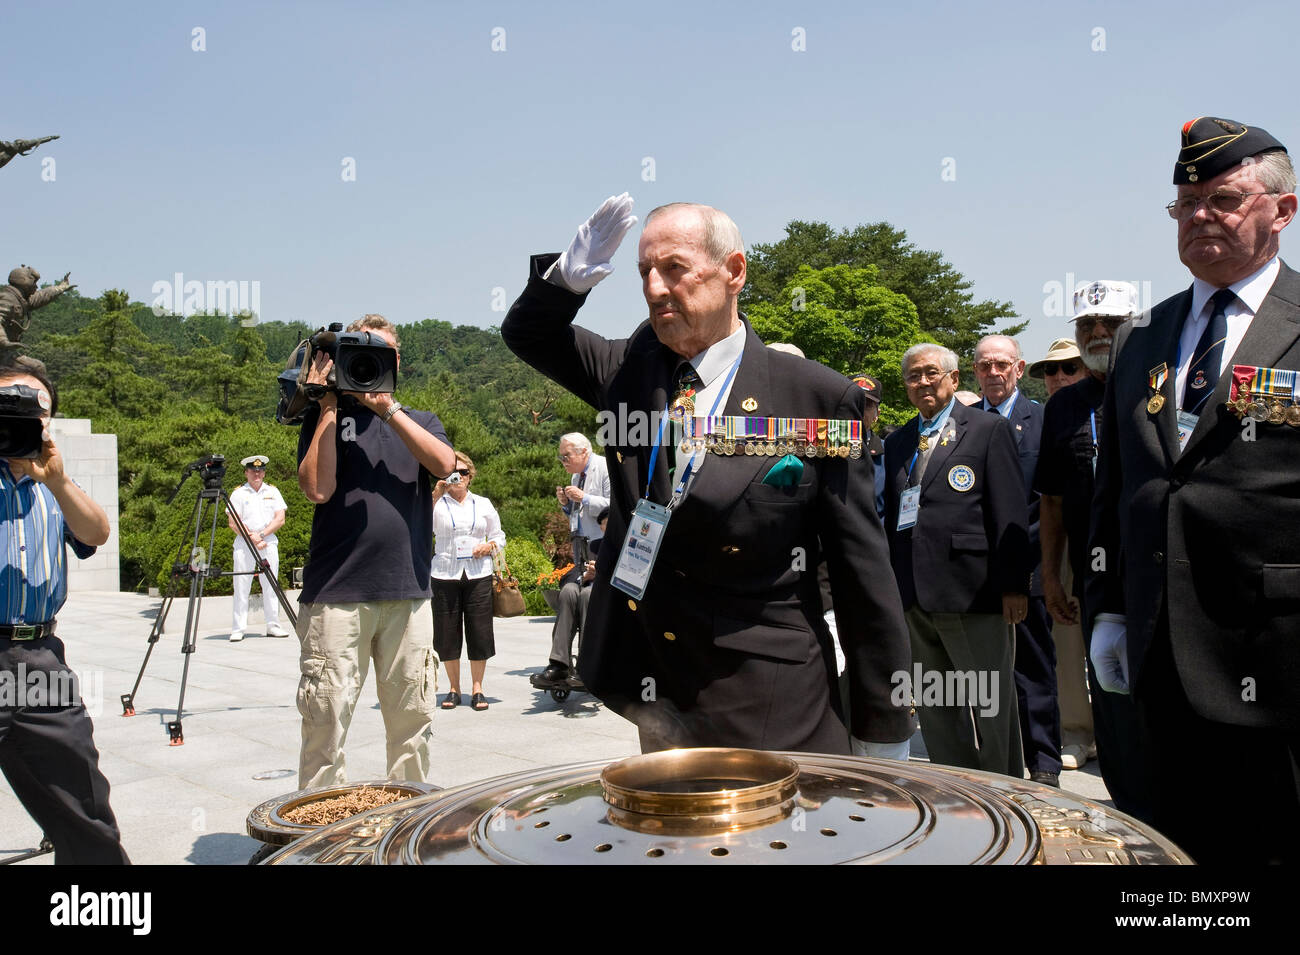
(1104, 727)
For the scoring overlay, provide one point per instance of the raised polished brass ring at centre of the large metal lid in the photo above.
(700, 791)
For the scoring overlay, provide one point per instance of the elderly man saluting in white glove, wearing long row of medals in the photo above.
(733, 471)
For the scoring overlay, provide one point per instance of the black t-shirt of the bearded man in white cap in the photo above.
(1072, 426)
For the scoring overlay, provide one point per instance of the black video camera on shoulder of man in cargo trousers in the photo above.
(363, 362)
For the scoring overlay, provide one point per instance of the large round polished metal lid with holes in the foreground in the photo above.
(720, 806)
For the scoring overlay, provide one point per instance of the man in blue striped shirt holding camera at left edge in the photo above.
(47, 752)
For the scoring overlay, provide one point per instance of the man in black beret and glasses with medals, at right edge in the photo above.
(1195, 604)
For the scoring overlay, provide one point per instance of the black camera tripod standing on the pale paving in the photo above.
(198, 568)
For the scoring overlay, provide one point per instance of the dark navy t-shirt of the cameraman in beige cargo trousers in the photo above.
(374, 540)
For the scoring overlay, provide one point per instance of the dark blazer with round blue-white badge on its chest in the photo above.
(968, 548)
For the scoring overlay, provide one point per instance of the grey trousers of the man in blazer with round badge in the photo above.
(967, 697)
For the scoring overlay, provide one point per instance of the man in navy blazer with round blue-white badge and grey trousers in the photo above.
(956, 518)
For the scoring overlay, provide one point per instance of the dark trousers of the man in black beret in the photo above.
(1227, 795)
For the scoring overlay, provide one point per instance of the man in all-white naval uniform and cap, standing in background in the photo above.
(262, 509)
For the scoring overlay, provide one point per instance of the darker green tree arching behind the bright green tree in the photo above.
(946, 307)
